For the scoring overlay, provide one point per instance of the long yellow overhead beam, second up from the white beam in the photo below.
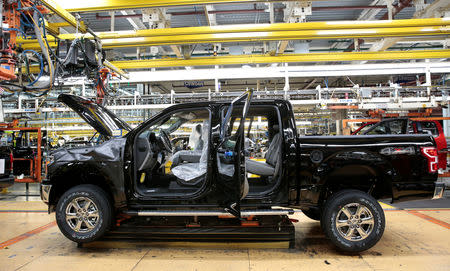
(243, 28)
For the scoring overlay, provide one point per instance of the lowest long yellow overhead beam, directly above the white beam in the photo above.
(286, 58)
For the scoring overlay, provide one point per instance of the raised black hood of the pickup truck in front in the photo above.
(100, 118)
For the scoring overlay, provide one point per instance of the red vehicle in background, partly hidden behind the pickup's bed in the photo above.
(409, 126)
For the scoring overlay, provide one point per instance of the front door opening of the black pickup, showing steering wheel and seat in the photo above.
(171, 155)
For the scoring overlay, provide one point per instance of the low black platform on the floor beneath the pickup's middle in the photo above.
(274, 230)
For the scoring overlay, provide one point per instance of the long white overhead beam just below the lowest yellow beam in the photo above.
(316, 71)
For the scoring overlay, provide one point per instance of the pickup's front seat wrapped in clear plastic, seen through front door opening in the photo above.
(191, 173)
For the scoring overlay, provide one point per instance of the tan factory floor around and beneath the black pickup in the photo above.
(417, 237)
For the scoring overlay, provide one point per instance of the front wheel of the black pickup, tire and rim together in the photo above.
(99, 220)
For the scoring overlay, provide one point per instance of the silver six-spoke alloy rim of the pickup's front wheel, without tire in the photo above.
(82, 215)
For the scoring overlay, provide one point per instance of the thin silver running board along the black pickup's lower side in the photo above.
(211, 212)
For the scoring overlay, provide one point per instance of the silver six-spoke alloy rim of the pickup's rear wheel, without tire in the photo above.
(354, 222)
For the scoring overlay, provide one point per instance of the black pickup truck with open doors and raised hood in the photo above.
(190, 160)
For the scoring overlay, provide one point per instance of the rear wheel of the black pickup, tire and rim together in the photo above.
(360, 234)
